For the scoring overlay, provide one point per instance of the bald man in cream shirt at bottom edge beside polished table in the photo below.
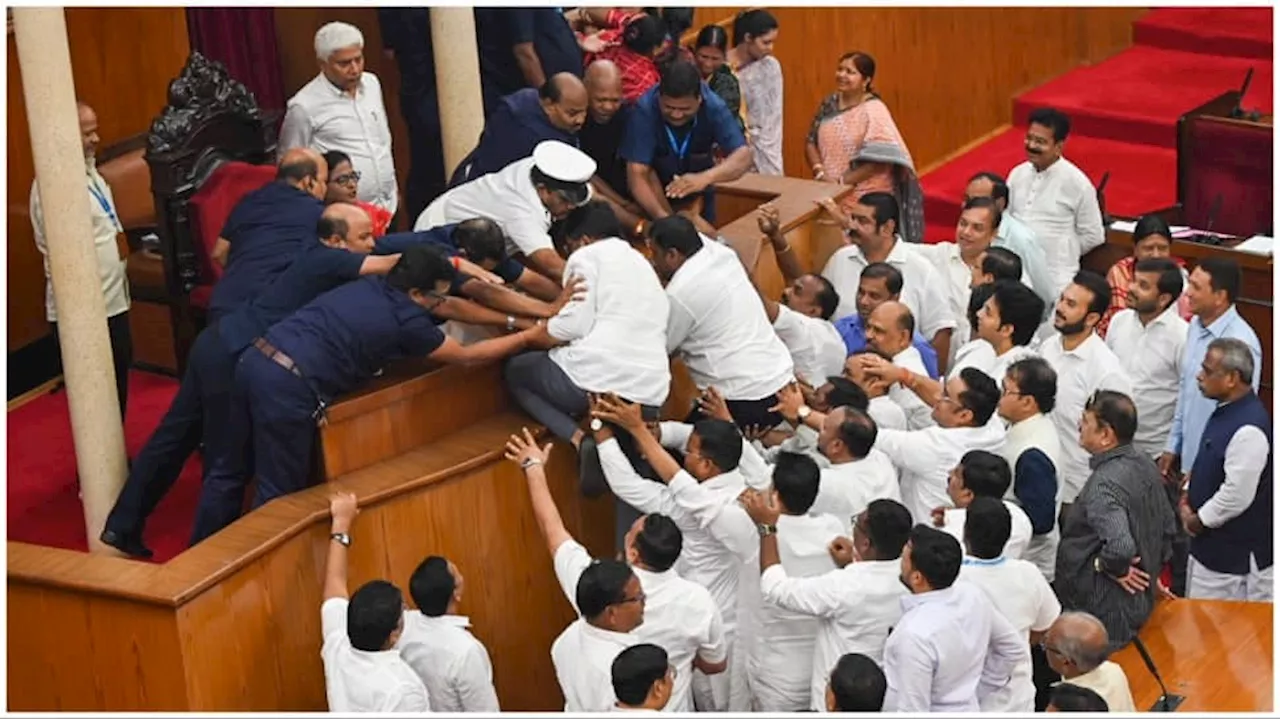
(1076, 647)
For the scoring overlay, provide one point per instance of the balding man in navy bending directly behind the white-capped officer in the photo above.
(522, 121)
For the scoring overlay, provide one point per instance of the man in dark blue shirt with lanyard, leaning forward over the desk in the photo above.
(673, 138)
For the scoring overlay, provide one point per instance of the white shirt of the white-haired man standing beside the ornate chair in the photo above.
(326, 118)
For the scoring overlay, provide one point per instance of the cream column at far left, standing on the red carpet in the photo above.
(49, 90)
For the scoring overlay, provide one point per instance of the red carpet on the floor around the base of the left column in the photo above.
(44, 507)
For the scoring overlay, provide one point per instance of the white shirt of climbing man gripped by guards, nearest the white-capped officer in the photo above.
(618, 333)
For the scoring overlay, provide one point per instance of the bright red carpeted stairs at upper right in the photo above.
(1124, 111)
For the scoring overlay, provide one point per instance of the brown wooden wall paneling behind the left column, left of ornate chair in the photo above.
(122, 63)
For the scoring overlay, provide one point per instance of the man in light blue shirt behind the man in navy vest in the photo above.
(1213, 290)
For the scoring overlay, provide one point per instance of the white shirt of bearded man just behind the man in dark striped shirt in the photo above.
(1081, 373)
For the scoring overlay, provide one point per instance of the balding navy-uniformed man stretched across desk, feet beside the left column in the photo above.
(202, 410)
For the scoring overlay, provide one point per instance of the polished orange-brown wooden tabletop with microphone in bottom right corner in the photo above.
(1217, 654)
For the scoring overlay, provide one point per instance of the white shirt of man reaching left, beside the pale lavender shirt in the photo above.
(857, 608)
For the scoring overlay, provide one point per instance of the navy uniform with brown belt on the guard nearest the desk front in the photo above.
(337, 344)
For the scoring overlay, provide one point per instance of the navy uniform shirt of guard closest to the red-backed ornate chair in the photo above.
(267, 230)
